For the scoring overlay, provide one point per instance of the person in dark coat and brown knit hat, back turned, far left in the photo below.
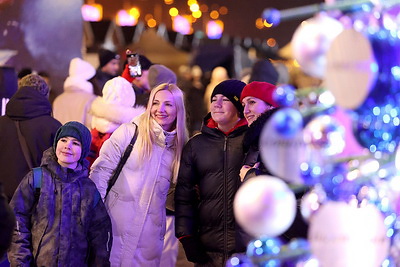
(30, 107)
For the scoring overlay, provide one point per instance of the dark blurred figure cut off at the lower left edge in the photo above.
(7, 224)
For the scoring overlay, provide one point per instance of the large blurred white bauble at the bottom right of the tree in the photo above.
(341, 235)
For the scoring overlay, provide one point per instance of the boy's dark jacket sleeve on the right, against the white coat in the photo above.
(100, 236)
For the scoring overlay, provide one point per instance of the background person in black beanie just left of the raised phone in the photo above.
(109, 67)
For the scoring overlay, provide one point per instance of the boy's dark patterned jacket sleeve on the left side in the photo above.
(20, 252)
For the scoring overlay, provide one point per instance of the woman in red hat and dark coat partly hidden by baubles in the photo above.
(259, 106)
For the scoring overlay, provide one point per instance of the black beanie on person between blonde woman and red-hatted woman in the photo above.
(232, 90)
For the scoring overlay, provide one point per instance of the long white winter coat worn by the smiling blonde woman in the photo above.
(136, 203)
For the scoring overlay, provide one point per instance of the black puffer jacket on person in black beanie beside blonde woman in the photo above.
(207, 182)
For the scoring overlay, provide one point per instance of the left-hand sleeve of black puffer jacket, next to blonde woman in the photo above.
(186, 197)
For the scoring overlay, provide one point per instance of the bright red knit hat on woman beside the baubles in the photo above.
(261, 90)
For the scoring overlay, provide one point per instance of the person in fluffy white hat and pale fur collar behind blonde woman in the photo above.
(109, 111)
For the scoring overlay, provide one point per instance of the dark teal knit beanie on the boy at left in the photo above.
(77, 130)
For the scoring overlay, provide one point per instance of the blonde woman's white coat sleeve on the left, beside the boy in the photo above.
(110, 154)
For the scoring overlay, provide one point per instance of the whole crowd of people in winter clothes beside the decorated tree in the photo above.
(131, 171)
